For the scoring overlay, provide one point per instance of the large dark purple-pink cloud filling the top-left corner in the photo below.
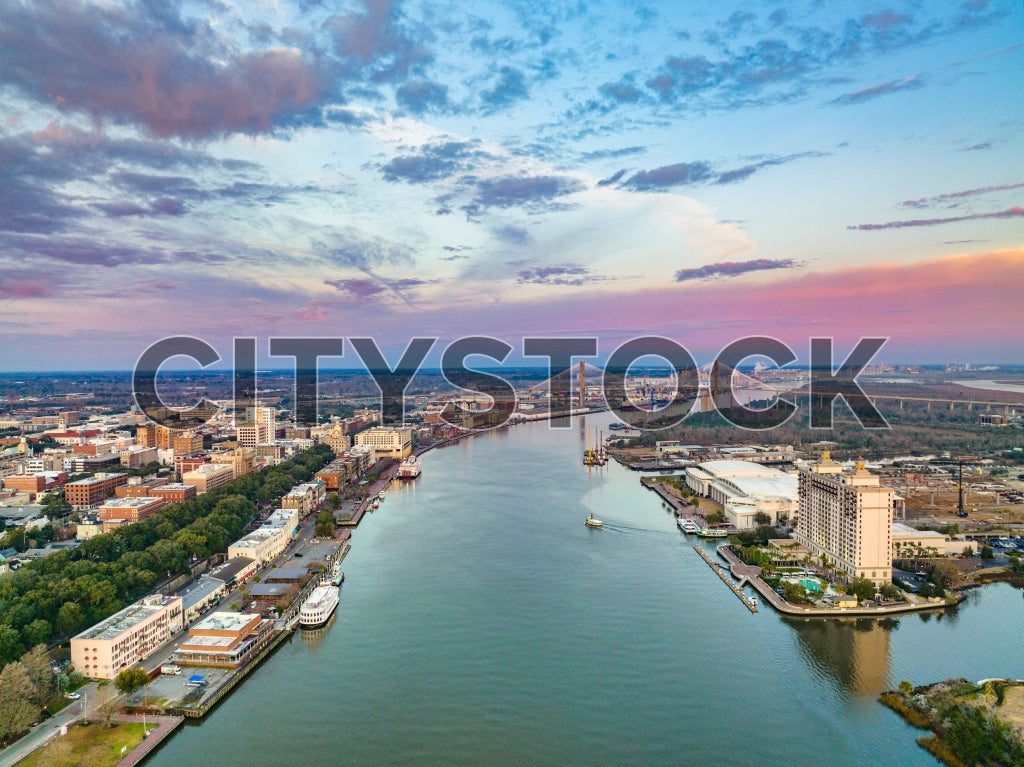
(146, 66)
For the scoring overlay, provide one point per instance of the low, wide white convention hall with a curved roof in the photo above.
(745, 490)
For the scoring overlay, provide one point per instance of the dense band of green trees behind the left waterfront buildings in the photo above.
(57, 598)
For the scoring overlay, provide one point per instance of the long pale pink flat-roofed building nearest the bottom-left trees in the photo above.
(126, 637)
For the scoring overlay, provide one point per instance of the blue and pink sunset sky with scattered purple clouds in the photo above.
(705, 173)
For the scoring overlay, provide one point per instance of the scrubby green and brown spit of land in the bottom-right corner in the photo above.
(972, 723)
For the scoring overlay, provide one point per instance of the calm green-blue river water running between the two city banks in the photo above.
(483, 623)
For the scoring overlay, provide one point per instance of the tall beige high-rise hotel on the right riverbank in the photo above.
(847, 519)
